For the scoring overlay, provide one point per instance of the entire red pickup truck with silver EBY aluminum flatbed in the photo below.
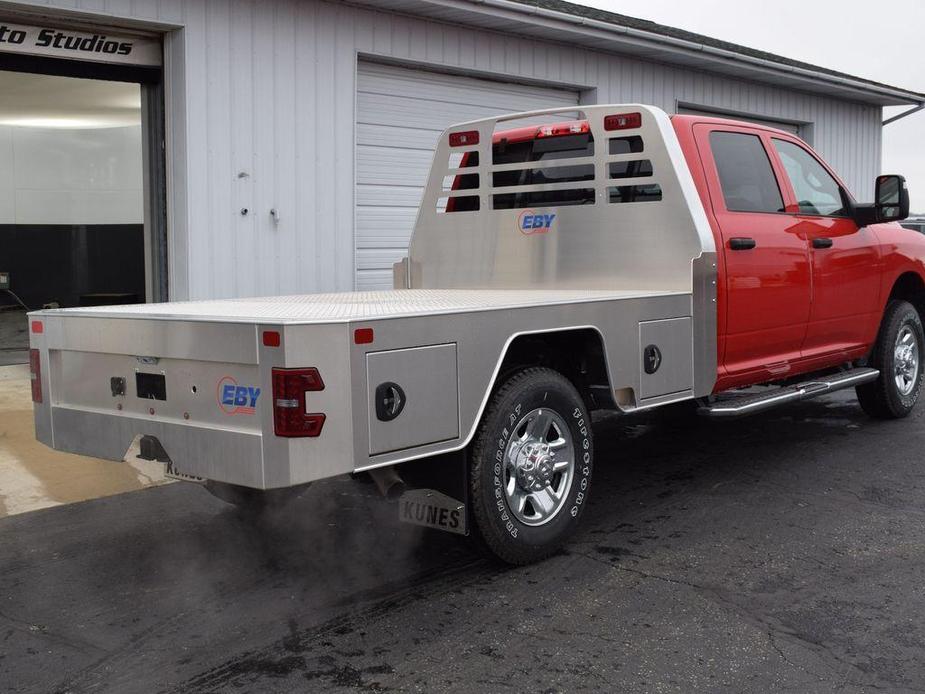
(610, 259)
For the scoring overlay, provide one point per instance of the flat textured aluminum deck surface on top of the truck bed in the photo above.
(351, 306)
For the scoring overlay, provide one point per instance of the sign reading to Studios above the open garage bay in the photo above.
(97, 46)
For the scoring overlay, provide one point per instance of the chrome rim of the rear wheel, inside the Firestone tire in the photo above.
(539, 466)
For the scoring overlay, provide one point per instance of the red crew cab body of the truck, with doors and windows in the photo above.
(804, 281)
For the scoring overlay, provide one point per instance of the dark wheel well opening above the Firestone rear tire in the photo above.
(576, 354)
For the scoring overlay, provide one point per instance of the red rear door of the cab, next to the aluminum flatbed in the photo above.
(767, 271)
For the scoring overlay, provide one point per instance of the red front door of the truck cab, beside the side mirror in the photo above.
(845, 259)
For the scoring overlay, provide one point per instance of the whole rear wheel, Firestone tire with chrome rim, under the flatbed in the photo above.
(530, 468)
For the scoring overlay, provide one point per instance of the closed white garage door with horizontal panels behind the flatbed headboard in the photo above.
(400, 114)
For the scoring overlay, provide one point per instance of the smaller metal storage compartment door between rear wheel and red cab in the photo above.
(666, 347)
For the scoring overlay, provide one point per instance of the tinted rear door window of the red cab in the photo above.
(745, 173)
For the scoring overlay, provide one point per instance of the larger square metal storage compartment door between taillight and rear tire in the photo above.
(413, 397)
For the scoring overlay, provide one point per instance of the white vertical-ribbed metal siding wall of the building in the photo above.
(267, 88)
